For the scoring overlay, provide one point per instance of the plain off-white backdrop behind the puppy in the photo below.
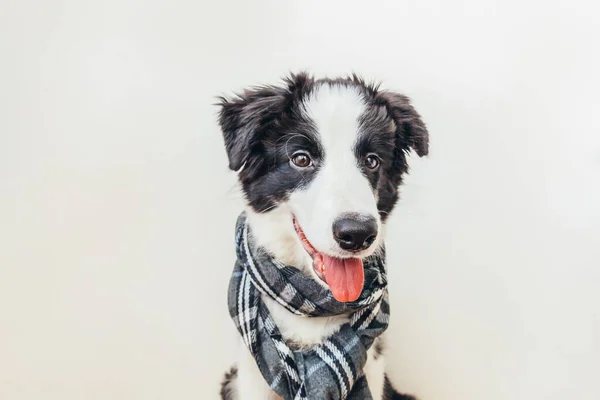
(117, 207)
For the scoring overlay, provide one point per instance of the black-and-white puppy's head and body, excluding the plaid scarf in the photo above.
(319, 162)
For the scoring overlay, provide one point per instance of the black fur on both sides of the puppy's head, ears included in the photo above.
(265, 125)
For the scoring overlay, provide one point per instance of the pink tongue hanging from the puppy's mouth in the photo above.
(345, 277)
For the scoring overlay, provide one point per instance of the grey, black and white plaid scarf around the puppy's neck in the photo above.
(330, 370)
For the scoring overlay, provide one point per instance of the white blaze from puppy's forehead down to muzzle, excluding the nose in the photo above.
(339, 186)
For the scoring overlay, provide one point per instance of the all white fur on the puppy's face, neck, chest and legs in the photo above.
(339, 187)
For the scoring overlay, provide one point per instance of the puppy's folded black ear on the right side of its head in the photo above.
(411, 130)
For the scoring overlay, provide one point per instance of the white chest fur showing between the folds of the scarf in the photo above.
(299, 331)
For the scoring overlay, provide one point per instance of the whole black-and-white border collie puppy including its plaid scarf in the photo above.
(320, 162)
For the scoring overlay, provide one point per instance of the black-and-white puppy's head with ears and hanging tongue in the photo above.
(332, 153)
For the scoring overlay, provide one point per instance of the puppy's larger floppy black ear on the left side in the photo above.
(246, 118)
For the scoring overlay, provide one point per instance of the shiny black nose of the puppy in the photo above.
(355, 232)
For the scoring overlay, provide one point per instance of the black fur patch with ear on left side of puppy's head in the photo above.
(262, 128)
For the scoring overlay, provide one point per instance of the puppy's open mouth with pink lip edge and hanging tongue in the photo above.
(344, 276)
